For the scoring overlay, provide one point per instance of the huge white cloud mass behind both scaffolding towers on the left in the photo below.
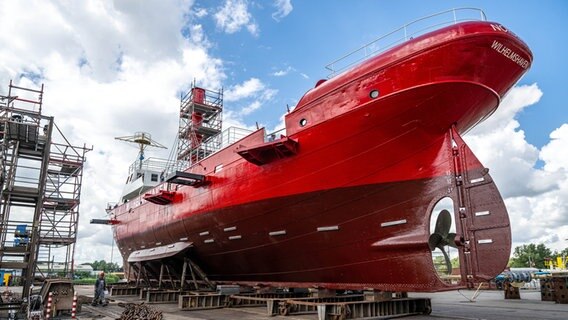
(108, 72)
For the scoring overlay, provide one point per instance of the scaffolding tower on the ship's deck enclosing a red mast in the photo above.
(199, 124)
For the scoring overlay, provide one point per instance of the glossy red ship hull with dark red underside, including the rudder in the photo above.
(352, 208)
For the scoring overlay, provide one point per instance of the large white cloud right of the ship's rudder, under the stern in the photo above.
(536, 198)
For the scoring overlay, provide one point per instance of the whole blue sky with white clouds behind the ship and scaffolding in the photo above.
(112, 68)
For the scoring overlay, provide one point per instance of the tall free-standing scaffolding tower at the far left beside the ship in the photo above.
(40, 188)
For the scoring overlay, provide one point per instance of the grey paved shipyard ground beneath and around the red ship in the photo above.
(445, 305)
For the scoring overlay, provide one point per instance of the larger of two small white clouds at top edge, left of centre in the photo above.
(233, 16)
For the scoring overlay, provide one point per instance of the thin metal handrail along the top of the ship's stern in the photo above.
(374, 47)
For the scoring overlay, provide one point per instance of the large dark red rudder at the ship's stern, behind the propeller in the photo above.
(483, 232)
